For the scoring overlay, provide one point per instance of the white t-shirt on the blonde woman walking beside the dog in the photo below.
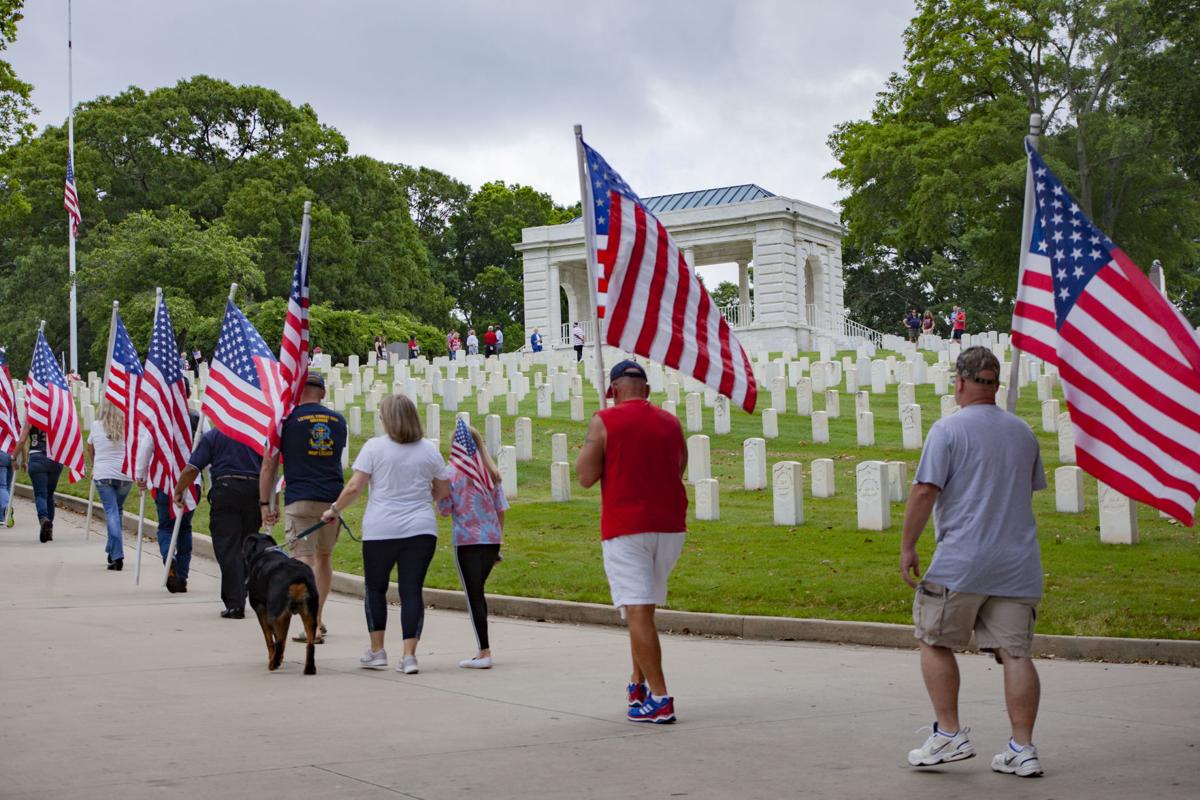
(401, 501)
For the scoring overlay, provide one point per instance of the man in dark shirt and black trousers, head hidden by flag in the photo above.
(235, 470)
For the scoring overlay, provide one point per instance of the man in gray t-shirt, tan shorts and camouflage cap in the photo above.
(977, 477)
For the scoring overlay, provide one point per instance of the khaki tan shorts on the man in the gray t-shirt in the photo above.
(947, 619)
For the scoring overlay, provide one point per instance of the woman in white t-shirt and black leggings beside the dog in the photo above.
(407, 476)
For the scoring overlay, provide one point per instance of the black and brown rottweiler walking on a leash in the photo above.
(280, 587)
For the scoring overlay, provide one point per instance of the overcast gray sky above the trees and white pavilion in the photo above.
(677, 95)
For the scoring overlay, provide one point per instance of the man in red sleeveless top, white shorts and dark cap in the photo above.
(637, 452)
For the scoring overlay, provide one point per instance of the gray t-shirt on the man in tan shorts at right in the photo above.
(987, 464)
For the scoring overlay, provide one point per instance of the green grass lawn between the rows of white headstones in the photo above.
(826, 568)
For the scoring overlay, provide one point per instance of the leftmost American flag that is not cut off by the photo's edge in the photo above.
(50, 407)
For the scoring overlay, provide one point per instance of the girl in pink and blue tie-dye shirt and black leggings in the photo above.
(478, 528)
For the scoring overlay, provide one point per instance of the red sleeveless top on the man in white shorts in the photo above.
(641, 490)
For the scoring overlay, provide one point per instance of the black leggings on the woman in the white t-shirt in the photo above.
(411, 557)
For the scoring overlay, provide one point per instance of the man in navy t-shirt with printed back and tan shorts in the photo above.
(311, 448)
